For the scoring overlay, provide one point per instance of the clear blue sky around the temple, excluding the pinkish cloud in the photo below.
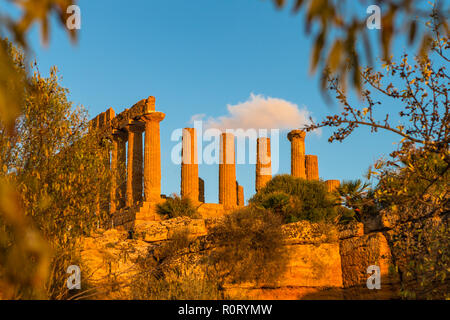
(197, 57)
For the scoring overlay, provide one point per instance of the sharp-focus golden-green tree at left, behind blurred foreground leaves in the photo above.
(58, 170)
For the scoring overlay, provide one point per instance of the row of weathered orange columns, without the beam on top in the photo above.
(231, 194)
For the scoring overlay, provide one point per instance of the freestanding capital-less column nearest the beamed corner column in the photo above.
(189, 165)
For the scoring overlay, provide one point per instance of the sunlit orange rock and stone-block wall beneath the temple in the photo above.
(325, 262)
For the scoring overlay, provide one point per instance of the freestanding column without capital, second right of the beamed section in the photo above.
(227, 171)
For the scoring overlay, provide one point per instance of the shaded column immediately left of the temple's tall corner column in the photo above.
(134, 164)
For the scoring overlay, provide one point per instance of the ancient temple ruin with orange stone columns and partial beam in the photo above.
(135, 160)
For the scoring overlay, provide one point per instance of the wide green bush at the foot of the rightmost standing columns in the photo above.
(296, 199)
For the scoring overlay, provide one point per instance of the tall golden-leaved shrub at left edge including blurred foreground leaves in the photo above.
(51, 172)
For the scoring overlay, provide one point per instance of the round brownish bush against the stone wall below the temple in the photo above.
(249, 247)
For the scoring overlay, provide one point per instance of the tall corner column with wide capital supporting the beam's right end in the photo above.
(152, 156)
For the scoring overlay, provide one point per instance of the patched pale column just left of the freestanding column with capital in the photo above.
(263, 163)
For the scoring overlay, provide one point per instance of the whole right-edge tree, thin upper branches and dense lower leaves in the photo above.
(412, 185)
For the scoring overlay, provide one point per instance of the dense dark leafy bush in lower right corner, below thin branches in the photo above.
(415, 195)
